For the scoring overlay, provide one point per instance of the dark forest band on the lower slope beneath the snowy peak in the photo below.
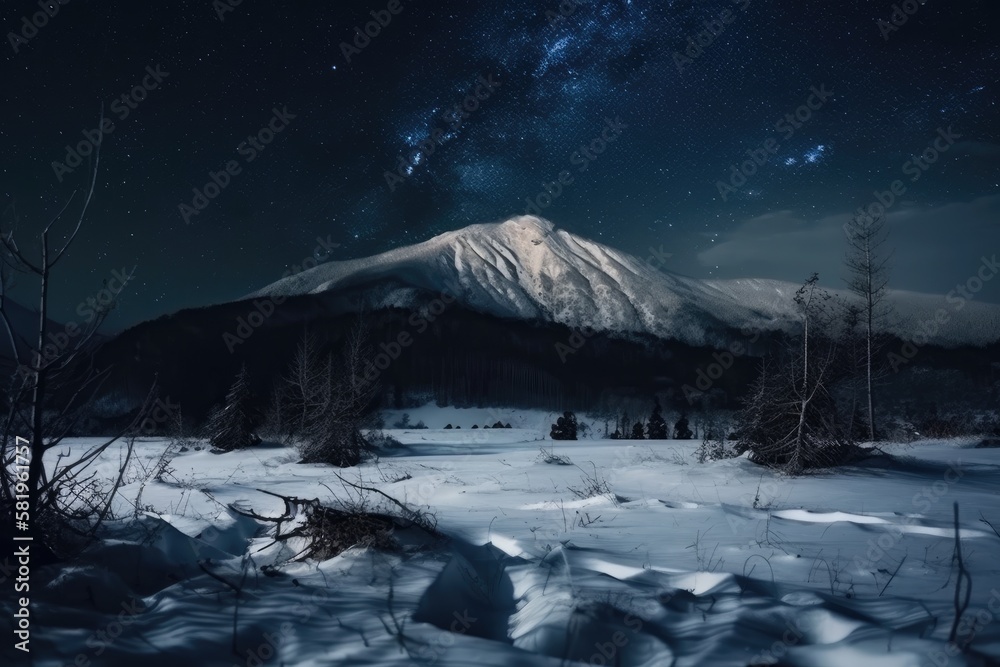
(463, 359)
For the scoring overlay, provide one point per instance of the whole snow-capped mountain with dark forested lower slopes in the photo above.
(492, 314)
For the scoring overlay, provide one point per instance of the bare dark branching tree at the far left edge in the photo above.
(53, 384)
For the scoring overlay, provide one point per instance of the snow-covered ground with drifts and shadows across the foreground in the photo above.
(681, 564)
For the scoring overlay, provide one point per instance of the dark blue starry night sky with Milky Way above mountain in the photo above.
(688, 107)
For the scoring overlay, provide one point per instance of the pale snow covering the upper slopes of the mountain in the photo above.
(524, 268)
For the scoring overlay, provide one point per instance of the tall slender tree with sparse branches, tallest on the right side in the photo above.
(867, 261)
